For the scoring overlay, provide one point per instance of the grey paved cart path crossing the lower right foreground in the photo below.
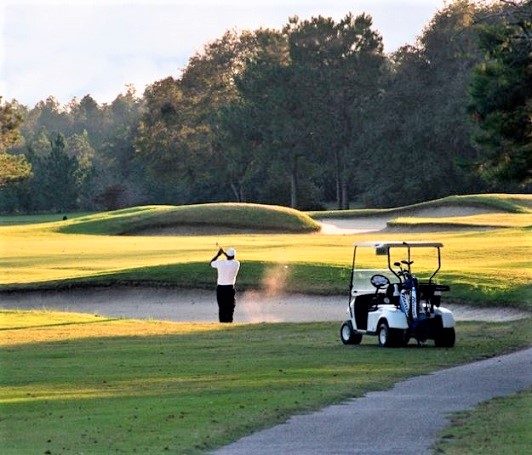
(403, 420)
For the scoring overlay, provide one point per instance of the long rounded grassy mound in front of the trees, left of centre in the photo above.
(252, 217)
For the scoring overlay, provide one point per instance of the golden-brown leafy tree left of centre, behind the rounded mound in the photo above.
(179, 138)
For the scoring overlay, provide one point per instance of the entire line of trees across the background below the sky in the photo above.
(310, 114)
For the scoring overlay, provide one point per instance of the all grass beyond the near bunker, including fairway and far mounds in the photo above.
(484, 267)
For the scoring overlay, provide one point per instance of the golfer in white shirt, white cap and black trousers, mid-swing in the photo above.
(225, 291)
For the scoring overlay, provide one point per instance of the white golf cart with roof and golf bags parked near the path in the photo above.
(393, 303)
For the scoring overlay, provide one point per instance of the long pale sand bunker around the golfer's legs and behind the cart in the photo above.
(192, 305)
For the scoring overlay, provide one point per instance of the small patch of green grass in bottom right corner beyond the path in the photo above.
(499, 426)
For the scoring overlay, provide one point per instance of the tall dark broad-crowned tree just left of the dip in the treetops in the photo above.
(339, 67)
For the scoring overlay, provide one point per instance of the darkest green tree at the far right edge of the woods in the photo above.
(501, 93)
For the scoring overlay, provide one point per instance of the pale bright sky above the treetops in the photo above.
(71, 48)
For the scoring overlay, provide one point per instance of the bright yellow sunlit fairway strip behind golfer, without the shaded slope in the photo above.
(497, 259)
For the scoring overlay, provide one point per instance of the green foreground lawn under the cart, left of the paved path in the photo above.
(80, 383)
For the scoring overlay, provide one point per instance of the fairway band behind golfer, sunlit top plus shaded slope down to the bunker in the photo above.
(483, 267)
